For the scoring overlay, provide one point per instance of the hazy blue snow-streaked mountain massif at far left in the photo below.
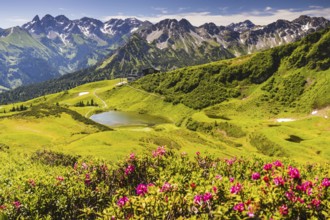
(52, 46)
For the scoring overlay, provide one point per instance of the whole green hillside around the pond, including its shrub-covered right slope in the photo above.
(270, 104)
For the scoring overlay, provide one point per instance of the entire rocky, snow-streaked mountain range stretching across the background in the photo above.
(53, 46)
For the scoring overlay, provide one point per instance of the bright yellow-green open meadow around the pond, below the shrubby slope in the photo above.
(61, 132)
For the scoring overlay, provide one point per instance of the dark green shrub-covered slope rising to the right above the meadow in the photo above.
(205, 85)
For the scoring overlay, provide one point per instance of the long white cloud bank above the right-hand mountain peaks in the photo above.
(257, 17)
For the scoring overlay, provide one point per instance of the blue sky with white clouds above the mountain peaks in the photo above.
(18, 12)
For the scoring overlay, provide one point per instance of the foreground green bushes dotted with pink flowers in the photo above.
(164, 185)
